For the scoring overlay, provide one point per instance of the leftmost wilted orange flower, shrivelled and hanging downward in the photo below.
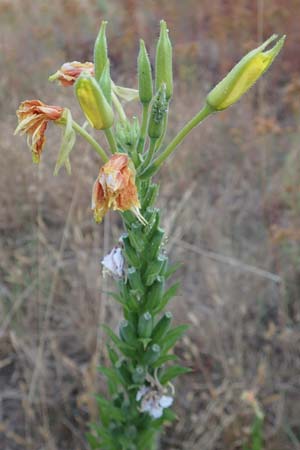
(33, 116)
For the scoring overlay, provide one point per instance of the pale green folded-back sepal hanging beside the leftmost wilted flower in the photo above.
(67, 144)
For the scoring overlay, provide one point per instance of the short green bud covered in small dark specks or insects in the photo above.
(158, 111)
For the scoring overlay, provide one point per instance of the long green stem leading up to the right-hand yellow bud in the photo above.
(205, 112)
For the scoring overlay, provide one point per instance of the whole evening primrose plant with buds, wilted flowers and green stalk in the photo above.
(140, 378)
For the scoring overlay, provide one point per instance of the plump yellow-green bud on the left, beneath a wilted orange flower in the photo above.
(93, 102)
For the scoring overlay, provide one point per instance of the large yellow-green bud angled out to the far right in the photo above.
(243, 75)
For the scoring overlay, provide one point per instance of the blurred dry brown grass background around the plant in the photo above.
(231, 201)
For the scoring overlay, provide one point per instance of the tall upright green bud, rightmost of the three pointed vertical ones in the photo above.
(163, 64)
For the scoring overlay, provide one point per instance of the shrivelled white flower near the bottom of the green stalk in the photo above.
(153, 401)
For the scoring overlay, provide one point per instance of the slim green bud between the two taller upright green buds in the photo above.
(144, 75)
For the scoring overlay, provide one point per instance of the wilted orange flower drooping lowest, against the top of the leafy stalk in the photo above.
(115, 188)
